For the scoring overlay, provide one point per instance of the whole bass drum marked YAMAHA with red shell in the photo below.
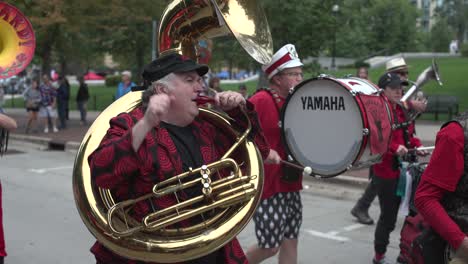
(333, 125)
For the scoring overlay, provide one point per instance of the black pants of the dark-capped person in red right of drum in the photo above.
(389, 205)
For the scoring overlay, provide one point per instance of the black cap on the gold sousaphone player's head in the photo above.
(171, 63)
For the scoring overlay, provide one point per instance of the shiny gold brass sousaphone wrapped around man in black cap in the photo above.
(229, 203)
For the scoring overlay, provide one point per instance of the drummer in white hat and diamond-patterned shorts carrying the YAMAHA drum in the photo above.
(279, 215)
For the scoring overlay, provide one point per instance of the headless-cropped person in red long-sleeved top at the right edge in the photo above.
(443, 181)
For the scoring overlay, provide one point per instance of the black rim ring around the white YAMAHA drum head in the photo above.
(283, 112)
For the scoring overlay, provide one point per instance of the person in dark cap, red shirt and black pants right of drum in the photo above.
(386, 173)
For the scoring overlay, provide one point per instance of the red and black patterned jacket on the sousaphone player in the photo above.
(116, 166)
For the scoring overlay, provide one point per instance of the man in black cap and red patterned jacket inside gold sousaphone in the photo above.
(163, 138)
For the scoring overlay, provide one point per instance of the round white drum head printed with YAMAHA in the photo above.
(322, 126)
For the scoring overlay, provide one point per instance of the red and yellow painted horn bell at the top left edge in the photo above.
(17, 41)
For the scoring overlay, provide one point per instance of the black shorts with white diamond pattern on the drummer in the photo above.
(277, 218)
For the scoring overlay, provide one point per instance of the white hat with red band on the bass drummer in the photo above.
(284, 58)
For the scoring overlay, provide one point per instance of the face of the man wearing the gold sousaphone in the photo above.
(185, 88)
